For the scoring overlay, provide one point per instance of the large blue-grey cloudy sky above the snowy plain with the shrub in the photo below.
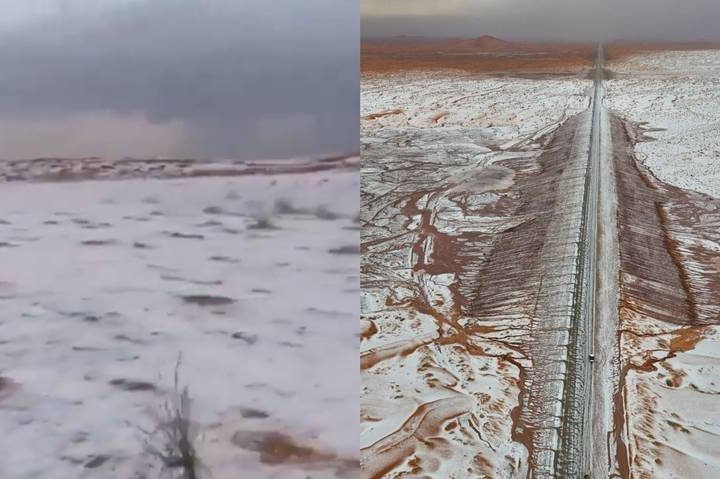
(228, 78)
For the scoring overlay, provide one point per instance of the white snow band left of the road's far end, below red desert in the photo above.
(501, 111)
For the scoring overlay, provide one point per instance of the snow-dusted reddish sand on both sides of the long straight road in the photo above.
(442, 388)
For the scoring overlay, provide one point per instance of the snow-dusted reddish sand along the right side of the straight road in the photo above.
(670, 392)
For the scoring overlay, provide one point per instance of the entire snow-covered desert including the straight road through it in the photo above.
(481, 354)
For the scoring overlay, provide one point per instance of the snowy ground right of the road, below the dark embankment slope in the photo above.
(672, 421)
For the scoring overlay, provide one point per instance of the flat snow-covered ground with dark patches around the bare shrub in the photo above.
(104, 283)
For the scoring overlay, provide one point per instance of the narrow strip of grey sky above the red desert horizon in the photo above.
(545, 19)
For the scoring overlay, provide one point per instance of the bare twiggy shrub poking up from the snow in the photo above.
(171, 441)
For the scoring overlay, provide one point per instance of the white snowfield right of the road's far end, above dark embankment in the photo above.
(676, 94)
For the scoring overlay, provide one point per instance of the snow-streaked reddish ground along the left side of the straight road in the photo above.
(441, 156)
